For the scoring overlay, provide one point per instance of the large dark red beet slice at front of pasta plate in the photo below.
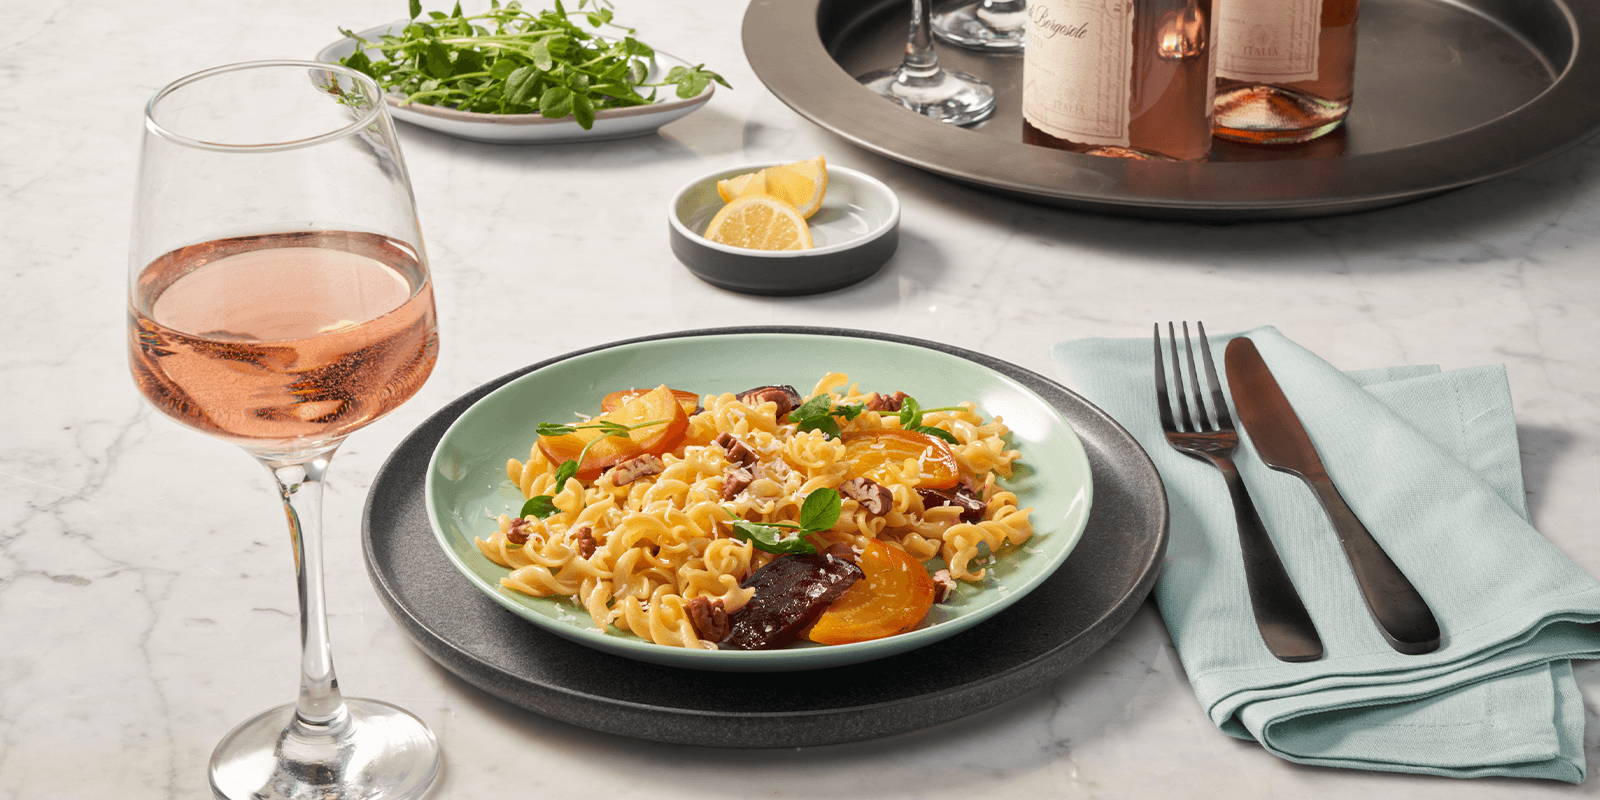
(790, 594)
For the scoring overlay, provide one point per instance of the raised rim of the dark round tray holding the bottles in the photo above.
(785, 47)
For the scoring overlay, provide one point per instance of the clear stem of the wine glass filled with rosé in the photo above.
(321, 708)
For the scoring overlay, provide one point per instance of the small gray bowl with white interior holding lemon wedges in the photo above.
(855, 233)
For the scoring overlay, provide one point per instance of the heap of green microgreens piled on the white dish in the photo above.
(516, 62)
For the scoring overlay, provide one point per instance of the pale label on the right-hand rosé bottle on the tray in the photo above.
(1271, 41)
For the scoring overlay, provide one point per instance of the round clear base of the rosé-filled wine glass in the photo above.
(377, 751)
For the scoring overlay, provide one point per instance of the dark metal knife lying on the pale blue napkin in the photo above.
(1282, 444)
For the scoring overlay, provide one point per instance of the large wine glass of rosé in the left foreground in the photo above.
(279, 300)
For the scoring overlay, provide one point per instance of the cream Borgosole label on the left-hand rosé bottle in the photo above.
(1078, 70)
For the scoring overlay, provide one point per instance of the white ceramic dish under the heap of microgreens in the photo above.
(532, 129)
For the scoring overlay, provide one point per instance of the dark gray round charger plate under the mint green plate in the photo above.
(1058, 625)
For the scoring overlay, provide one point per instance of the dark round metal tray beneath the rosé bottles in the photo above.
(1447, 94)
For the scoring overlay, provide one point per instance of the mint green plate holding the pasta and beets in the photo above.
(466, 479)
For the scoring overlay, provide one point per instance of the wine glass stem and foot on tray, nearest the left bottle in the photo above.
(924, 87)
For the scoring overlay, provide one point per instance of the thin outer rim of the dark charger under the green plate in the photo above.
(417, 626)
